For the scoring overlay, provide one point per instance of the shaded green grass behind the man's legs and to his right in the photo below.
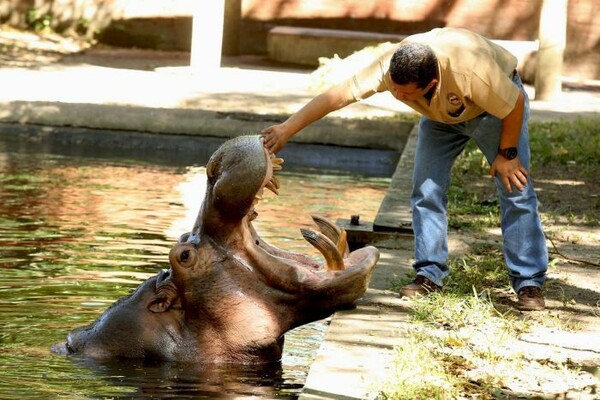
(556, 144)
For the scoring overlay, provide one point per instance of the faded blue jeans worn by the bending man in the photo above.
(438, 146)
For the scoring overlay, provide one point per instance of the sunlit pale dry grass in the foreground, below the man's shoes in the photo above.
(460, 341)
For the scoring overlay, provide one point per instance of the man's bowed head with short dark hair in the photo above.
(414, 71)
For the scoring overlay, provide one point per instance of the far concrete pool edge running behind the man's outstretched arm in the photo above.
(378, 133)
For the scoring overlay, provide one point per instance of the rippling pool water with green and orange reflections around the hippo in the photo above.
(77, 233)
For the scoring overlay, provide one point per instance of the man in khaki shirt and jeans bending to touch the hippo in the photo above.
(466, 87)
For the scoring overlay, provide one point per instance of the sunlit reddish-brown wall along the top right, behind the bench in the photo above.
(496, 19)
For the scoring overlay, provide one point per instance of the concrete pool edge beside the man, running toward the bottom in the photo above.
(358, 348)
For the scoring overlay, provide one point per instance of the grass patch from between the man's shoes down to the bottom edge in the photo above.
(460, 335)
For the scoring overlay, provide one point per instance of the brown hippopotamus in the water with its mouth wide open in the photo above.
(228, 296)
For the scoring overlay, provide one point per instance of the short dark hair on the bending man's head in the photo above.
(413, 63)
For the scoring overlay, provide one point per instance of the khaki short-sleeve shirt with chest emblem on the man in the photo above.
(475, 76)
